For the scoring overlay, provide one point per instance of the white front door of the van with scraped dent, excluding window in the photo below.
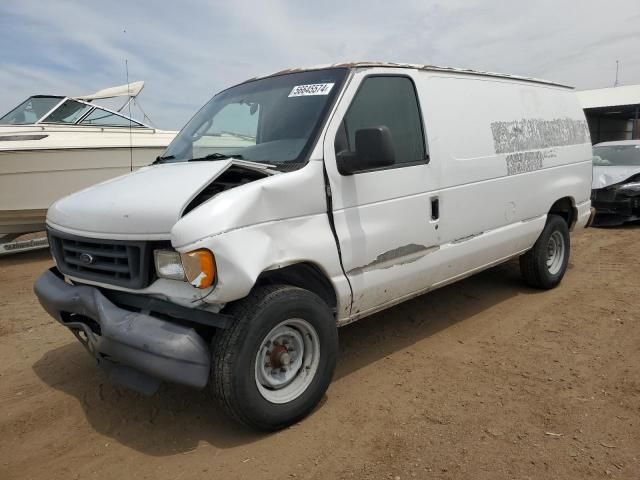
(382, 219)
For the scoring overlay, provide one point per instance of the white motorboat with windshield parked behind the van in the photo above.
(51, 146)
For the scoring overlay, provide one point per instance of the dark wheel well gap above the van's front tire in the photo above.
(304, 275)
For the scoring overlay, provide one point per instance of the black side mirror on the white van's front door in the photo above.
(374, 149)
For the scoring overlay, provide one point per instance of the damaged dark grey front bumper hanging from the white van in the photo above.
(137, 350)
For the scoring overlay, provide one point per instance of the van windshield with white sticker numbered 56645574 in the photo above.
(273, 120)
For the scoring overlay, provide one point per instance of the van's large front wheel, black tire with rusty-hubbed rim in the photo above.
(303, 331)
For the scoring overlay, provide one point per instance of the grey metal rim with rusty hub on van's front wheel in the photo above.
(287, 361)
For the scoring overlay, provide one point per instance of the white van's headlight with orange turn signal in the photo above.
(198, 267)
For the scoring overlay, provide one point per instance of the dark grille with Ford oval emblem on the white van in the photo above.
(115, 262)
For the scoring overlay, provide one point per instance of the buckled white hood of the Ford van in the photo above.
(145, 203)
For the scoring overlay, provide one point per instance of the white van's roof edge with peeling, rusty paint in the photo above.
(413, 66)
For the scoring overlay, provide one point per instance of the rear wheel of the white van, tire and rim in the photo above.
(546, 263)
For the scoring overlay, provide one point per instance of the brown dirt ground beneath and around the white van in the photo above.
(484, 379)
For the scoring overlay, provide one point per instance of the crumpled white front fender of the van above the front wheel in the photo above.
(267, 224)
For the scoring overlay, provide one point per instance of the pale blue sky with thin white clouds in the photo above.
(188, 50)
